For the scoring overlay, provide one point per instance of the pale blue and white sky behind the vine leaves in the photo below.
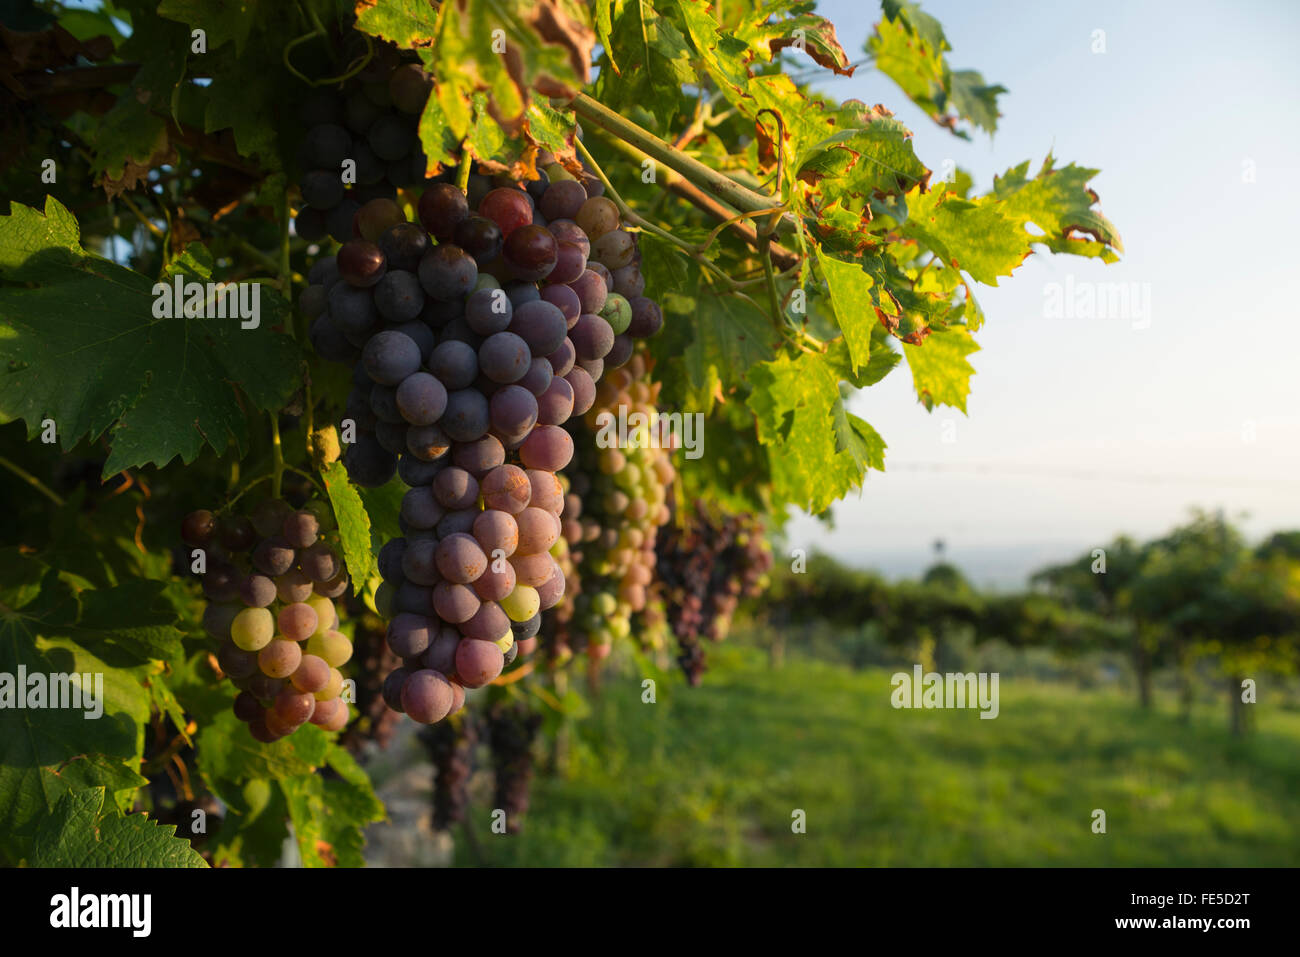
(1078, 430)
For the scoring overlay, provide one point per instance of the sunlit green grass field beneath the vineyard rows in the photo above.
(710, 777)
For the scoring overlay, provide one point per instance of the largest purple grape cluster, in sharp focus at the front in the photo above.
(479, 334)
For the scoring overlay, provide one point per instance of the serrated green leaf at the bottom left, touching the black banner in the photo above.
(81, 833)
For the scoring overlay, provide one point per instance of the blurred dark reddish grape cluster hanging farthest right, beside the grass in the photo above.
(707, 566)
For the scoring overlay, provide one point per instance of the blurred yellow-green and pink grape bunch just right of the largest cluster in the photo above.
(616, 508)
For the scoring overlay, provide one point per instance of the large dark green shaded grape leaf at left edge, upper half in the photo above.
(84, 350)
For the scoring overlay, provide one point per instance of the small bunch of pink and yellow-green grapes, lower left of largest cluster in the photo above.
(271, 578)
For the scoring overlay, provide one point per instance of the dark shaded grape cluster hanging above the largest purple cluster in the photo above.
(362, 146)
